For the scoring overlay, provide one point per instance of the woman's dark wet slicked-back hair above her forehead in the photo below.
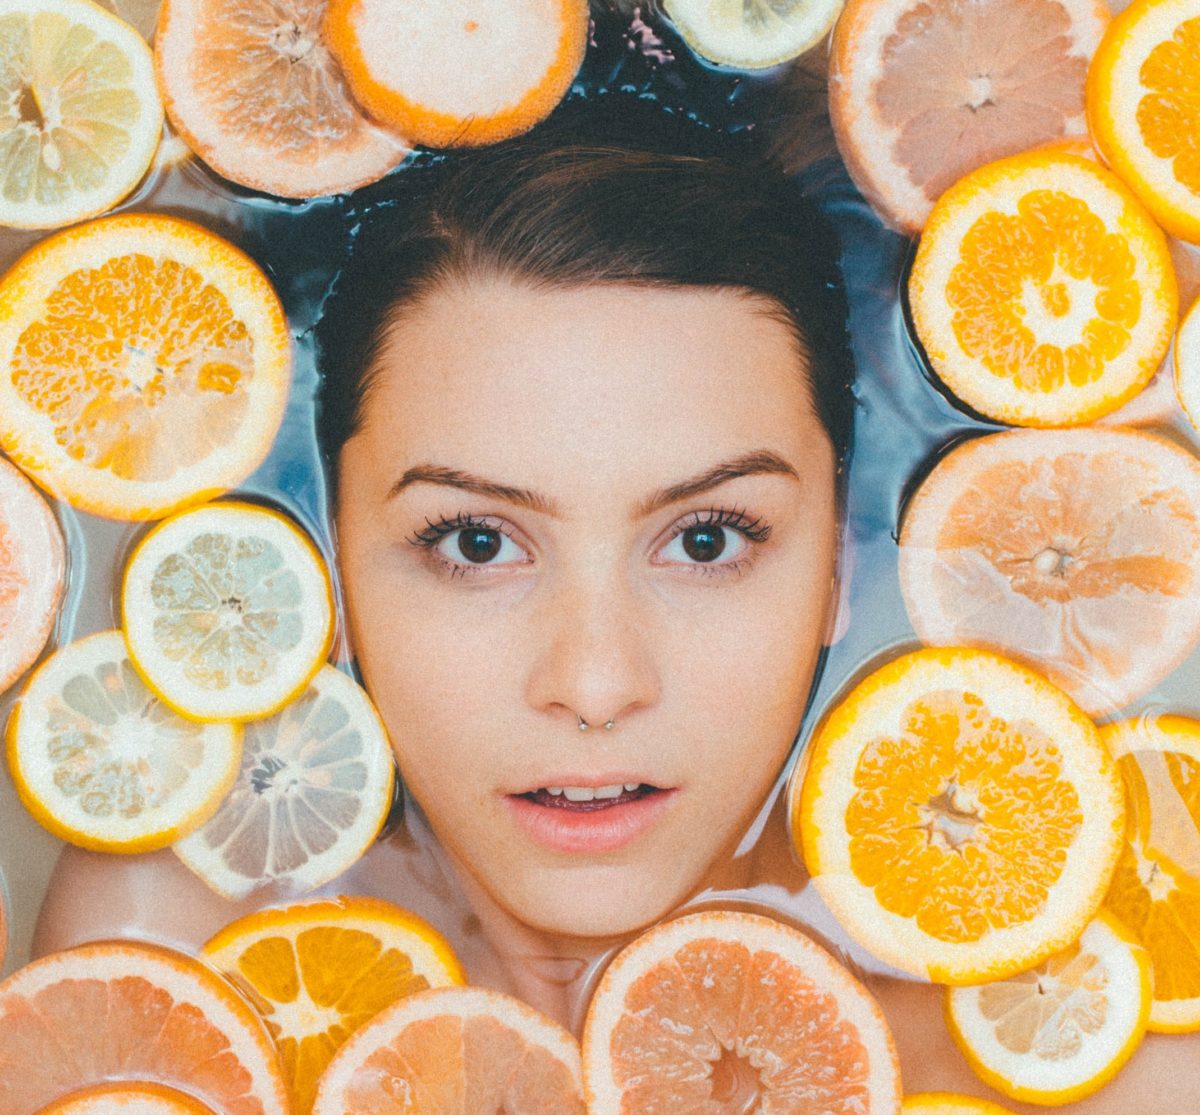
(598, 195)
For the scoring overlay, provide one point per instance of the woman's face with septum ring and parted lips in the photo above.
(611, 503)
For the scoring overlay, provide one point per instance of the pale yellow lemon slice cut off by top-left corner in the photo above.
(80, 117)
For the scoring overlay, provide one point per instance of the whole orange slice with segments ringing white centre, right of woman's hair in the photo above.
(1042, 291)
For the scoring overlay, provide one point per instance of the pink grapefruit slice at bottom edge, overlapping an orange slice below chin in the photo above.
(455, 1050)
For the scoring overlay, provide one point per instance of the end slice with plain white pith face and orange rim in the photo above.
(459, 75)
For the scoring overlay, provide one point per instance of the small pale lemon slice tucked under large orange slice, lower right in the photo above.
(1061, 1030)
